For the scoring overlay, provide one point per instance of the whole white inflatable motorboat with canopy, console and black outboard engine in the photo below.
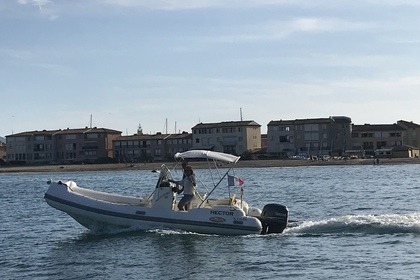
(101, 211)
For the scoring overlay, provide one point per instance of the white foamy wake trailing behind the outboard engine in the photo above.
(360, 224)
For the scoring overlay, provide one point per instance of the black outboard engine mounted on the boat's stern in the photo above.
(274, 218)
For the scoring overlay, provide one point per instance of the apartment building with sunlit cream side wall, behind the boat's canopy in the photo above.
(235, 137)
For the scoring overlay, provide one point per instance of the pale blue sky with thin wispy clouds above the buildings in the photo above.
(168, 65)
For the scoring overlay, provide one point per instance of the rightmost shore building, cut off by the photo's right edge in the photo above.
(400, 139)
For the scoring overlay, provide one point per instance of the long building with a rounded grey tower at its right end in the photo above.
(309, 137)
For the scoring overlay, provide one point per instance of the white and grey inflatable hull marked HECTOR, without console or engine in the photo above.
(99, 215)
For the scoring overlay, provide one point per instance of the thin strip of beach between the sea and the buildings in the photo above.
(201, 165)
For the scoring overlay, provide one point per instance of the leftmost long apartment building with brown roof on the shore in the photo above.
(84, 145)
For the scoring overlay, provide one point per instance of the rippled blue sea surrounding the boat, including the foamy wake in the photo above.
(348, 222)
